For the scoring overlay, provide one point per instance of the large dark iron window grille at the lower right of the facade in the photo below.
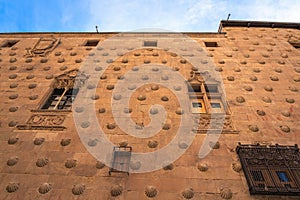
(271, 170)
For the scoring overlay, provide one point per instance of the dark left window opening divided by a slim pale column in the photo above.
(61, 99)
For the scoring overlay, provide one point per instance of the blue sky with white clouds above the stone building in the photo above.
(126, 15)
